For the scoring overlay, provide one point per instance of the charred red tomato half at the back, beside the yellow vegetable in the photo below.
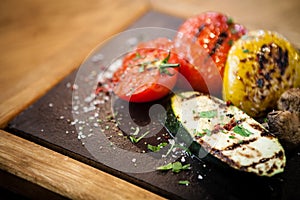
(204, 41)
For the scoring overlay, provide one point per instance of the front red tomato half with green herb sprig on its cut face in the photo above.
(148, 73)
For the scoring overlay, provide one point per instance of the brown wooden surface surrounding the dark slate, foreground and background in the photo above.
(43, 41)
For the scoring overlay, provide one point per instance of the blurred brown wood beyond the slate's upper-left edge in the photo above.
(43, 41)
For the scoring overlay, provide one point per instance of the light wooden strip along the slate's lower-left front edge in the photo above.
(62, 174)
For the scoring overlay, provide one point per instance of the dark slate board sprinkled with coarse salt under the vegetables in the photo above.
(53, 122)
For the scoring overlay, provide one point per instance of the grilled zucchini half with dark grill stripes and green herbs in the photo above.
(227, 133)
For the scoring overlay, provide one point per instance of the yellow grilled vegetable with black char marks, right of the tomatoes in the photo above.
(259, 68)
